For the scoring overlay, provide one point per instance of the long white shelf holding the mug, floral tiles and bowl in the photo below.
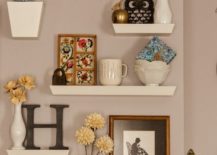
(114, 90)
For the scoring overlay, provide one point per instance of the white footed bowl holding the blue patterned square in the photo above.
(151, 73)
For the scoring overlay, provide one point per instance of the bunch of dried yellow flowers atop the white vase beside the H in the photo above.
(17, 89)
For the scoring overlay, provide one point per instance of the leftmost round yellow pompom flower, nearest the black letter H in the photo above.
(85, 136)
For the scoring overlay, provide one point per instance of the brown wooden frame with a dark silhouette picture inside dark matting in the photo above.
(152, 133)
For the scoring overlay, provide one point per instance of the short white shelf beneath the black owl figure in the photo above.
(143, 28)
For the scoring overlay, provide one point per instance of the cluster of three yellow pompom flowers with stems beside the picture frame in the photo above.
(86, 135)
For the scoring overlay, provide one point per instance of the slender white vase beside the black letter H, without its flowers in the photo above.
(18, 129)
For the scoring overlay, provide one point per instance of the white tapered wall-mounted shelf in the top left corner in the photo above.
(25, 18)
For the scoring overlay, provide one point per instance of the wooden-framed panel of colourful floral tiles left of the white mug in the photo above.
(77, 57)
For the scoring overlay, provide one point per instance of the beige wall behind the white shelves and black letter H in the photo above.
(38, 57)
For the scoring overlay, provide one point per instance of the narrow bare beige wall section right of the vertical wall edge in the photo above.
(200, 76)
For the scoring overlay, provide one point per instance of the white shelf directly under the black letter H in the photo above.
(38, 152)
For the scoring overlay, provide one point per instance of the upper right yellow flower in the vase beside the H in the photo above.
(27, 82)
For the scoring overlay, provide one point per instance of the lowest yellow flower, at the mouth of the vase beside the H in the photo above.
(18, 96)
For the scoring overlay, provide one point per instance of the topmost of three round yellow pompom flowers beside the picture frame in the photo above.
(94, 121)
